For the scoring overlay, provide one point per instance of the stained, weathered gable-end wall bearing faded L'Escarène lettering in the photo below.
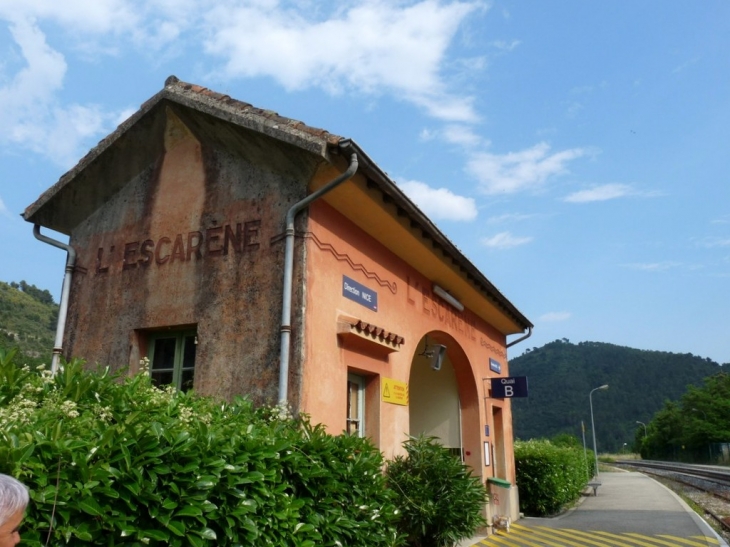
(192, 241)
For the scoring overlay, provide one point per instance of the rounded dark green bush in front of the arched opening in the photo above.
(442, 502)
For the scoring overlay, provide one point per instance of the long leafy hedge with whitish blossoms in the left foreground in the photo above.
(114, 461)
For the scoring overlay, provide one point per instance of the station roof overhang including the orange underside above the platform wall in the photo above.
(371, 200)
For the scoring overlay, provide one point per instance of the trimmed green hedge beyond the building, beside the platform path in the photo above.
(550, 477)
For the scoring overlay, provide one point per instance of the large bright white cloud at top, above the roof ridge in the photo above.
(368, 48)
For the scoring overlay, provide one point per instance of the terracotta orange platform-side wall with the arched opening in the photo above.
(336, 247)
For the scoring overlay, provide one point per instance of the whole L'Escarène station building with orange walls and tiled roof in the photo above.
(245, 253)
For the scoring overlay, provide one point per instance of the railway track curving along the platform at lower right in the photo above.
(706, 485)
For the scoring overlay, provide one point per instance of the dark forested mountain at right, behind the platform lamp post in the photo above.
(561, 376)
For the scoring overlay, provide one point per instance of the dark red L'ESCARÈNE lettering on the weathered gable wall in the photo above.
(223, 240)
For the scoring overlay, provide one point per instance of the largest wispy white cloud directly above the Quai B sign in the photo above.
(520, 171)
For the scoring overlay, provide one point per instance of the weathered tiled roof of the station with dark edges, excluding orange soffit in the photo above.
(102, 174)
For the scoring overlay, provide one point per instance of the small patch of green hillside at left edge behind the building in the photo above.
(28, 318)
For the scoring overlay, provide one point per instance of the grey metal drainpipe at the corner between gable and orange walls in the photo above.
(289, 268)
